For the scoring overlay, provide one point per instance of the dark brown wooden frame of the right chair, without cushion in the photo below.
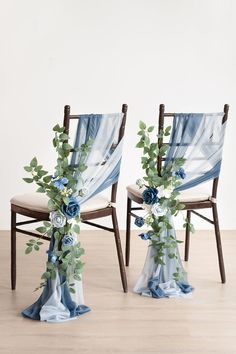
(191, 207)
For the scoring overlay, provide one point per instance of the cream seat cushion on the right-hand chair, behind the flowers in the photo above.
(190, 195)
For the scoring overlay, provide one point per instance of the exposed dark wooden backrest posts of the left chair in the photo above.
(66, 123)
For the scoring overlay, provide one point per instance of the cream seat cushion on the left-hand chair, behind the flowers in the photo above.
(39, 202)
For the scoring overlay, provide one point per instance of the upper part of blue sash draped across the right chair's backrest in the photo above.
(198, 138)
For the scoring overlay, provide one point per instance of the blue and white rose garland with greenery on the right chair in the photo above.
(160, 199)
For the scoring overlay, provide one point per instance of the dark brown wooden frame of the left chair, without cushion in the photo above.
(86, 216)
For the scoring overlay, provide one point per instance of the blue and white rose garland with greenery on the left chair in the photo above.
(64, 224)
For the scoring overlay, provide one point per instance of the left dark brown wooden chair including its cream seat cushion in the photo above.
(34, 205)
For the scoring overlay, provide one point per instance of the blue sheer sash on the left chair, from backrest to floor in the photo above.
(56, 303)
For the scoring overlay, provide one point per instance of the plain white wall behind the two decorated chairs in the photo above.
(96, 55)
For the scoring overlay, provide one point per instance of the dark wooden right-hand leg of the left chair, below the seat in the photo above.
(119, 251)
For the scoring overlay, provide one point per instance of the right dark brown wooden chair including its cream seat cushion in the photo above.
(193, 199)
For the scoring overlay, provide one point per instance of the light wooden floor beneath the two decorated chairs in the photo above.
(124, 323)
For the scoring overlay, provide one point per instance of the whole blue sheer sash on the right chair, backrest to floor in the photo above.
(199, 139)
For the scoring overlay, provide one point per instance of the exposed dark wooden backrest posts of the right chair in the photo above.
(161, 126)
